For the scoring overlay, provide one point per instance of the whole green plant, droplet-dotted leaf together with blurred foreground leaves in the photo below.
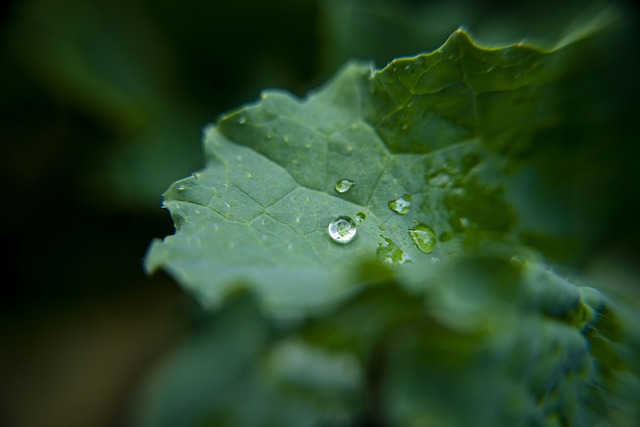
(442, 309)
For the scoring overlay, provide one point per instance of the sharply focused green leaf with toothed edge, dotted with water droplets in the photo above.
(440, 127)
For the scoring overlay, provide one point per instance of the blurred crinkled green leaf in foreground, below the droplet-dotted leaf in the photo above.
(482, 341)
